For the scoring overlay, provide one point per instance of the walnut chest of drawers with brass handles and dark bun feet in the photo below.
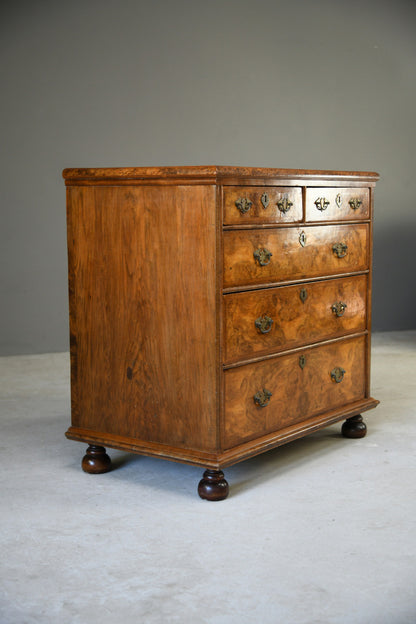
(216, 312)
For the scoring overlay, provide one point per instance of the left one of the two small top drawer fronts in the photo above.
(256, 204)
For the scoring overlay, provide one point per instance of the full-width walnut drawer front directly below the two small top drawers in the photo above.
(276, 255)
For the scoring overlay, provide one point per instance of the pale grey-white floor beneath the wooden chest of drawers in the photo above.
(320, 531)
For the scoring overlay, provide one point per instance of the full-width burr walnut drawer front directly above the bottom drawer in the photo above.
(264, 321)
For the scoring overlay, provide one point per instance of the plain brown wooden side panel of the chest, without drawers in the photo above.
(142, 273)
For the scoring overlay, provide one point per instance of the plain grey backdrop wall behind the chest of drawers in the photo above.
(322, 84)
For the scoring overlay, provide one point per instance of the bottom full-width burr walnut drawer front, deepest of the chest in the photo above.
(274, 394)
